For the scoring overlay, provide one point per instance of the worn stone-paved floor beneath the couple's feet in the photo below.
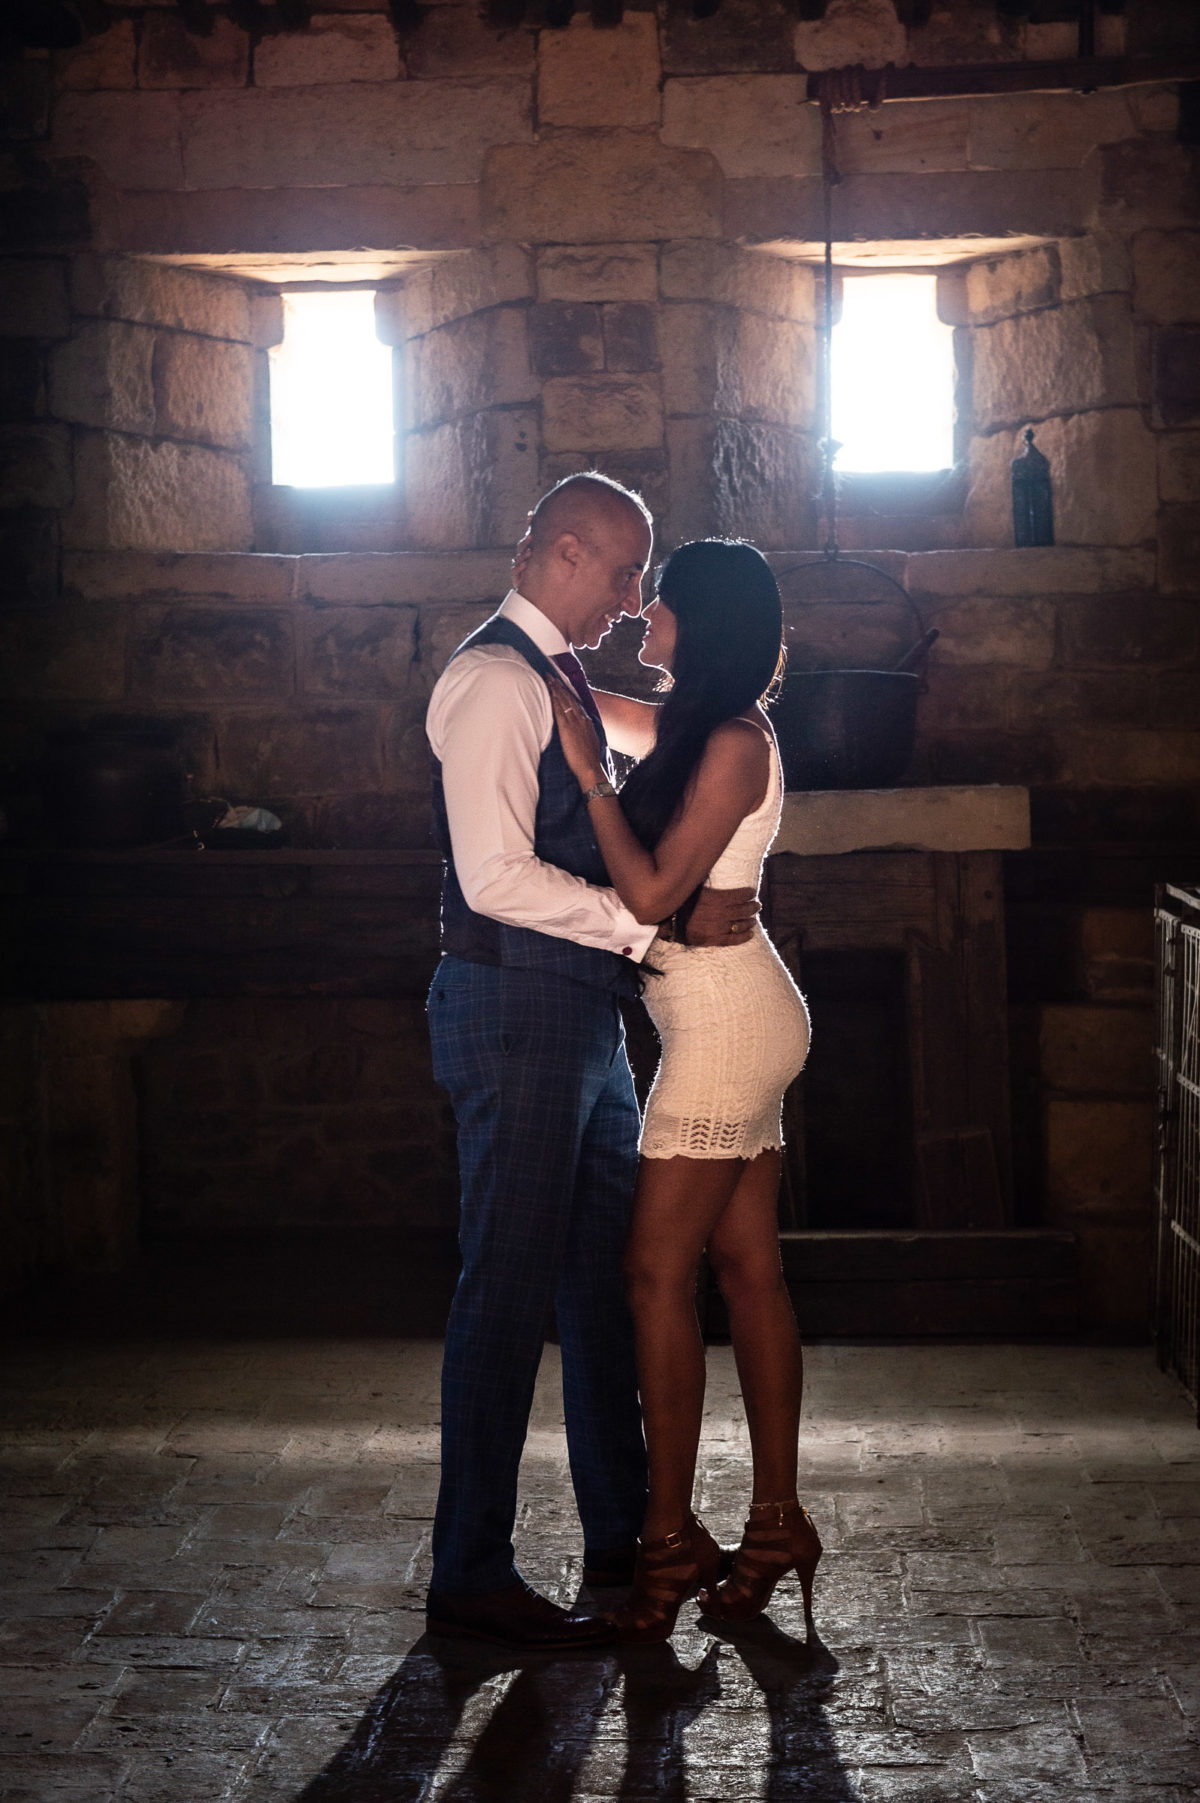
(215, 1557)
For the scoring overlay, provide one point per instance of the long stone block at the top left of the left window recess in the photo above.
(122, 288)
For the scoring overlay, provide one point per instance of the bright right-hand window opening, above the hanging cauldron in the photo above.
(893, 376)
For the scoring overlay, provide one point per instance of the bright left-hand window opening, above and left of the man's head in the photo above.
(331, 394)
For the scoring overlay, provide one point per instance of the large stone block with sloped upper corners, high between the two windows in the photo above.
(612, 187)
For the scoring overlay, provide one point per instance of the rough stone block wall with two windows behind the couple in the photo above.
(597, 248)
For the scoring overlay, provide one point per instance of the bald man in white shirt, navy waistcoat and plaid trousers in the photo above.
(527, 1039)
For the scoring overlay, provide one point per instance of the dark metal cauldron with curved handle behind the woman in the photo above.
(848, 728)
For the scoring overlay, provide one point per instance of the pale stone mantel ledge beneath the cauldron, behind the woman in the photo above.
(958, 818)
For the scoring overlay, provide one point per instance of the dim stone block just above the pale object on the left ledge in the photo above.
(300, 753)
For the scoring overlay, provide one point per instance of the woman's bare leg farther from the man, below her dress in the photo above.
(743, 1249)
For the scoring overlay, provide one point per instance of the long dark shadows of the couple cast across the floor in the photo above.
(471, 1725)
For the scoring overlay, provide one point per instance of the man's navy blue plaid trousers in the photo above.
(549, 1151)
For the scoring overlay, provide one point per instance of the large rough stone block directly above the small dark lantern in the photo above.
(1057, 362)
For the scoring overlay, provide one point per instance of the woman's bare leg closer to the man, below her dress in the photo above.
(678, 1204)
